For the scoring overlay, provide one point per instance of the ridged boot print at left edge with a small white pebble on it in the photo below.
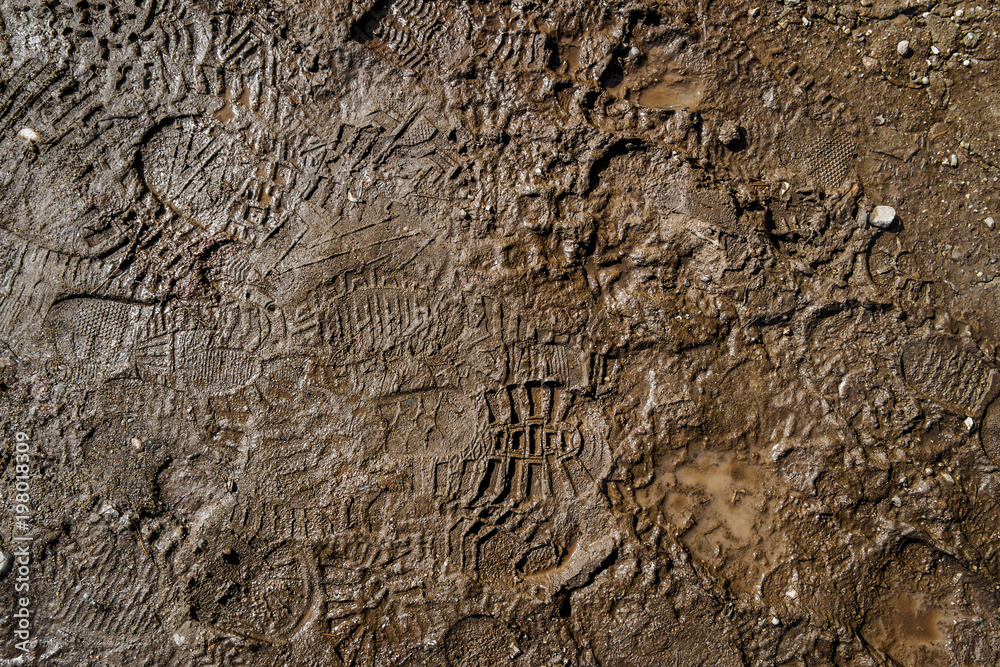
(70, 189)
